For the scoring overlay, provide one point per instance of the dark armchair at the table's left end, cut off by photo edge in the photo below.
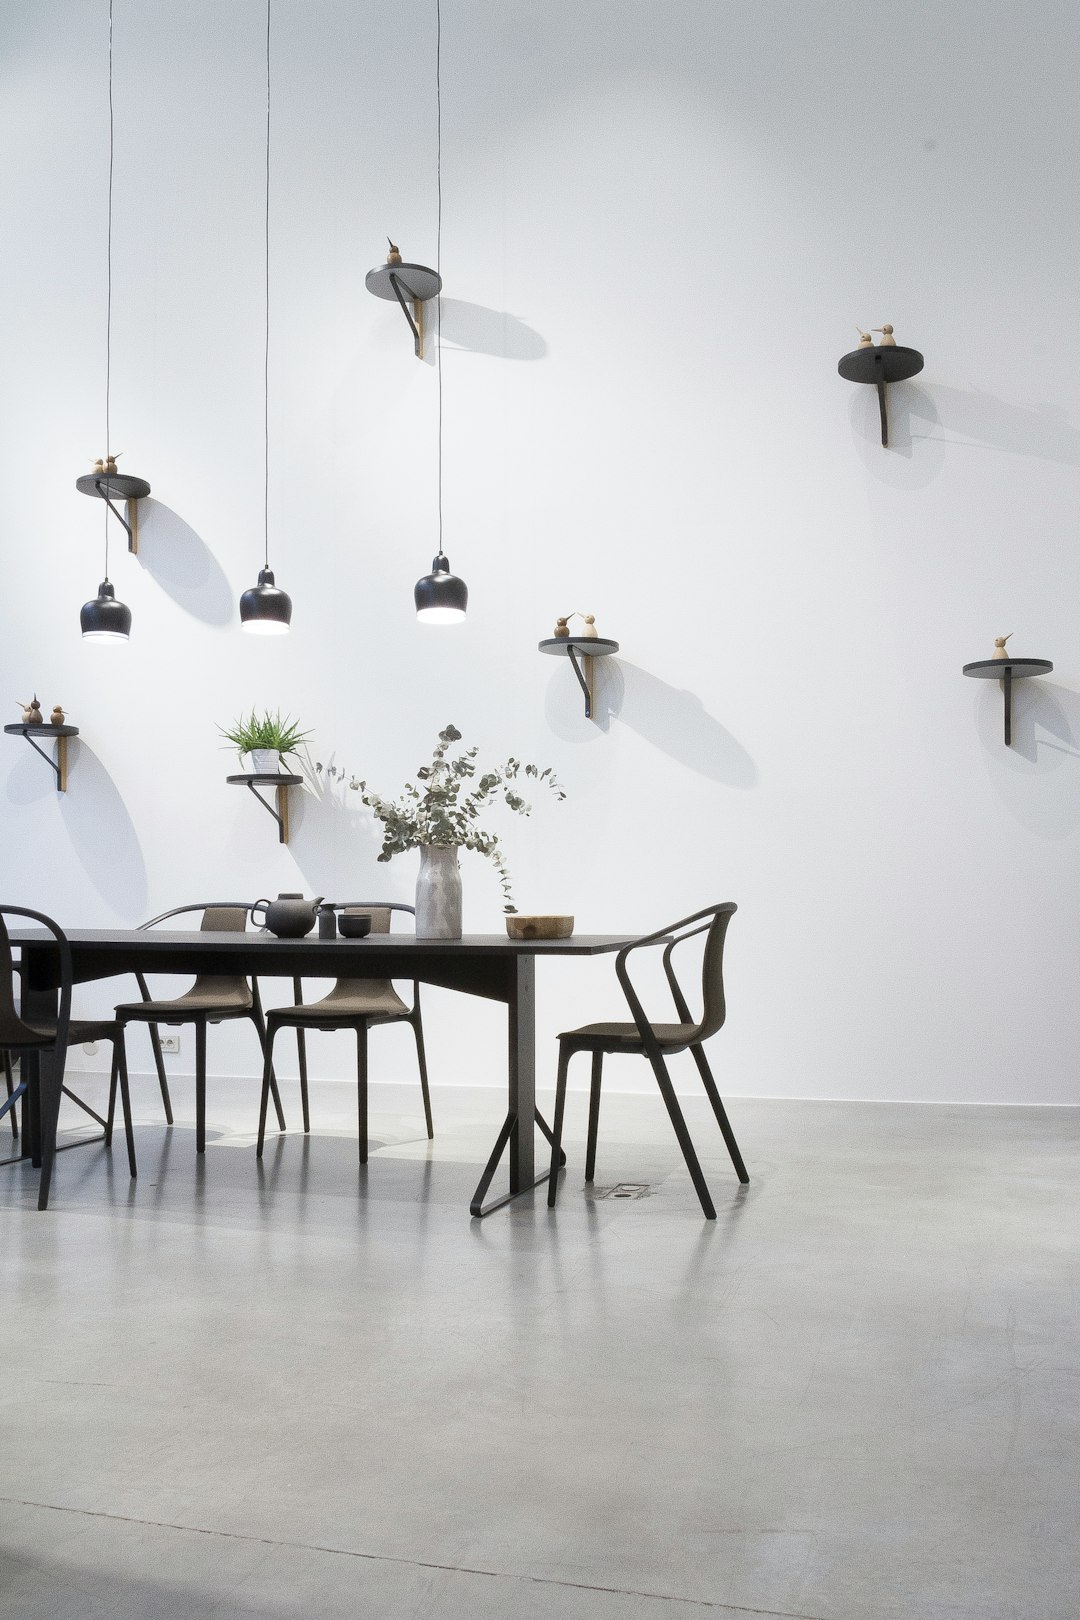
(49, 1039)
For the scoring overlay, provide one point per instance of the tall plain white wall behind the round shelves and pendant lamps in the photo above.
(661, 226)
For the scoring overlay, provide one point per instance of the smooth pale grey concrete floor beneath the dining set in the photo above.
(313, 1391)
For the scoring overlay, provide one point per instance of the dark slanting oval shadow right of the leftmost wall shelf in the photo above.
(103, 835)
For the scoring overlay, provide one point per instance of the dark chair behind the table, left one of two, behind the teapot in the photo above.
(213, 999)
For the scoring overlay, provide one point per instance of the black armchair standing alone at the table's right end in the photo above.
(658, 1042)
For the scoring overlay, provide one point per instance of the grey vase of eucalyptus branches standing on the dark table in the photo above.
(443, 816)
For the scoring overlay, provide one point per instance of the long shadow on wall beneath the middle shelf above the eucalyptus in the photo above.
(674, 722)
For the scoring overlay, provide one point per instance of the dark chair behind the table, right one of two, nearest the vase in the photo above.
(357, 1005)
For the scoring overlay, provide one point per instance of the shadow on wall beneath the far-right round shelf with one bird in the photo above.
(1045, 730)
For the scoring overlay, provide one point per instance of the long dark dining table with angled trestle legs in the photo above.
(488, 966)
